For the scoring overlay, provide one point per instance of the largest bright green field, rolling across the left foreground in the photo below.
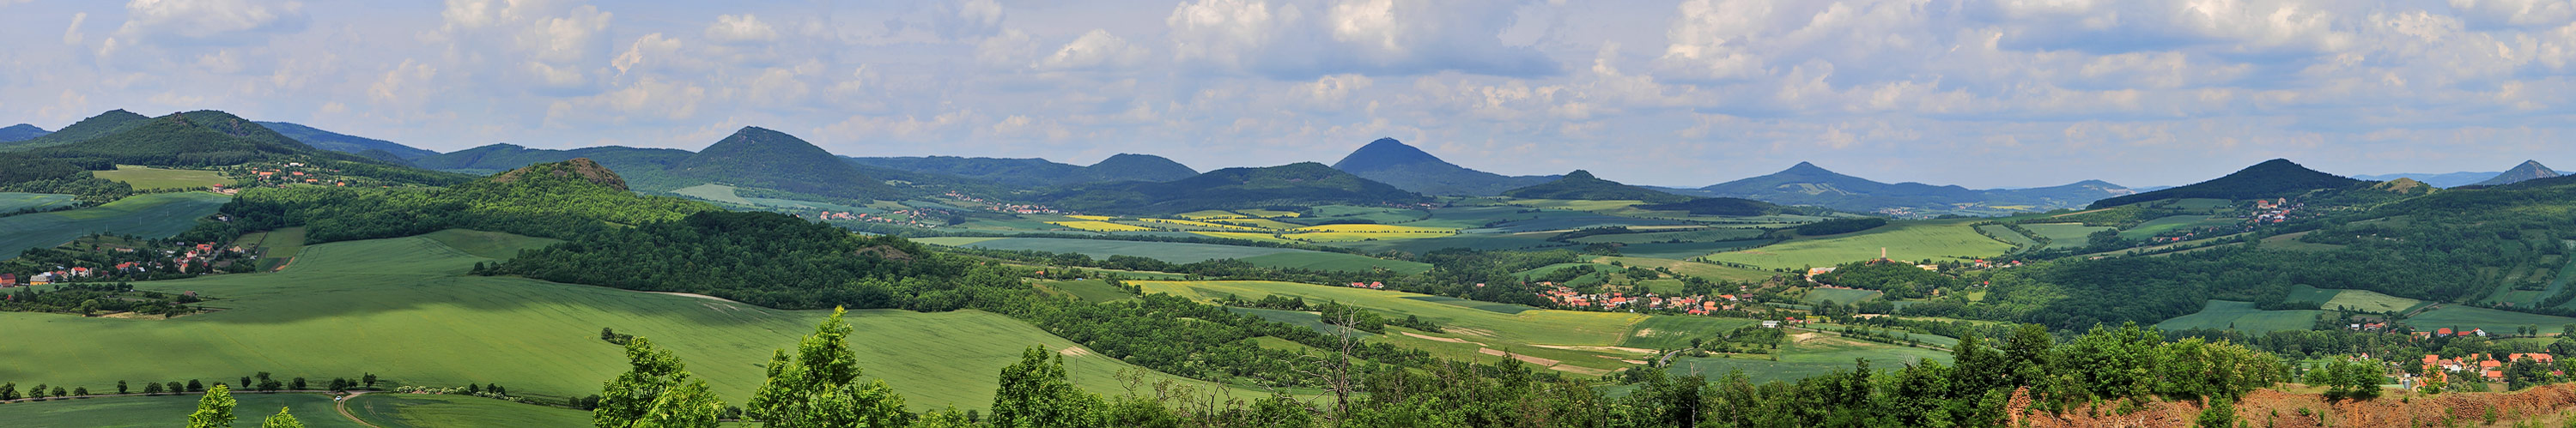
(406, 311)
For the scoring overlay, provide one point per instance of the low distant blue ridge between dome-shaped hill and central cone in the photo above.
(1039, 174)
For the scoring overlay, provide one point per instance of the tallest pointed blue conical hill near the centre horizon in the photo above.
(1410, 169)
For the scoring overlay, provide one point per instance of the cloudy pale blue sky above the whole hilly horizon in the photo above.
(1987, 94)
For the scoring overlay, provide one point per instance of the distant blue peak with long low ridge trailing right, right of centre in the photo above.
(1810, 184)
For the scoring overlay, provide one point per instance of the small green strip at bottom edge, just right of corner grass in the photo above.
(457, 411)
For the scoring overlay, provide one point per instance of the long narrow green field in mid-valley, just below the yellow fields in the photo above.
(1186, 254)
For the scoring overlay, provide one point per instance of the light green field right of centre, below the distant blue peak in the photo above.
(1905, 241)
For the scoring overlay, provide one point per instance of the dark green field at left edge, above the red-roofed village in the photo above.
(153, 215)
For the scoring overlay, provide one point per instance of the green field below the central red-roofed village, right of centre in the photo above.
(1810, 357)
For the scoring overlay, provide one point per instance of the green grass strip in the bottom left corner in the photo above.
(316, 411)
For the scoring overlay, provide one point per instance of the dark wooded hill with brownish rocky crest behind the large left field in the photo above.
(550, 200)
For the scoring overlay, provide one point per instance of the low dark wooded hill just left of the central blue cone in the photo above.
(1300, 184)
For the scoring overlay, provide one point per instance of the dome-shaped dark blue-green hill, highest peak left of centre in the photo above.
(761, 159)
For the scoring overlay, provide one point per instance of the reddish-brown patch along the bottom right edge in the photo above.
(2284, 411)
